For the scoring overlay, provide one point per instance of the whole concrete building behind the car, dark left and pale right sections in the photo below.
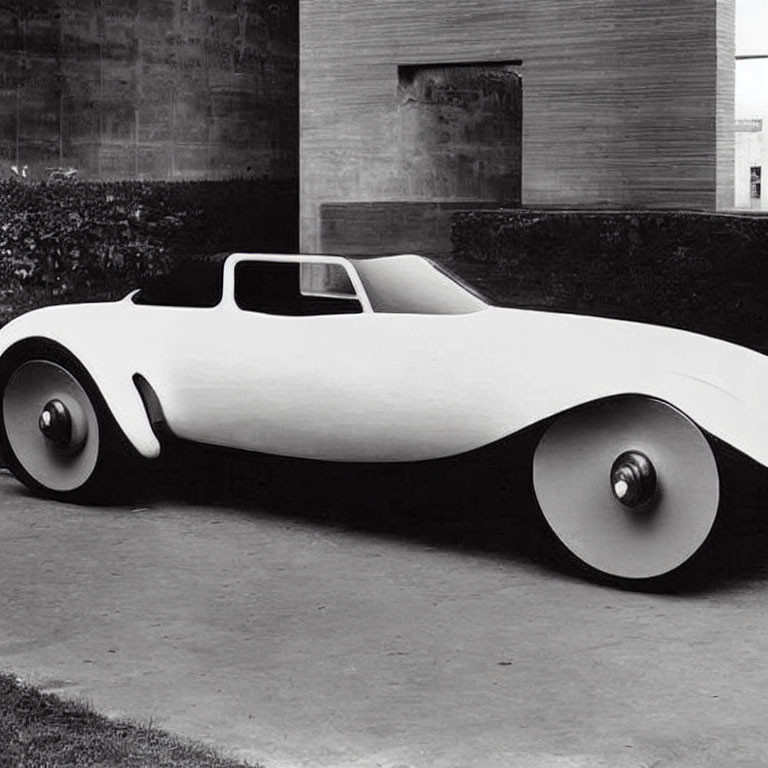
(407, 111)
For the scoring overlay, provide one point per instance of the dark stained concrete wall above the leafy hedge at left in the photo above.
(150, 88)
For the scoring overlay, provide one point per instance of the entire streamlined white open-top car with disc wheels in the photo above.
(390, 360)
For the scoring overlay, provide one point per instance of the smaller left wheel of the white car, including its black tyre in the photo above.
(57, 435)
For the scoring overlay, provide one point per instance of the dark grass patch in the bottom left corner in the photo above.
(40, 730)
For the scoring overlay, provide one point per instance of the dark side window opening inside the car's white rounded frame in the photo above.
(289, 288)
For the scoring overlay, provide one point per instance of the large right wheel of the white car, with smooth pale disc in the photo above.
(629, 486)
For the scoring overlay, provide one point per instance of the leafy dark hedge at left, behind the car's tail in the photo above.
(65, 242)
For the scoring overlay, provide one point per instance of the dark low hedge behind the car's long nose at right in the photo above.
(702, 272)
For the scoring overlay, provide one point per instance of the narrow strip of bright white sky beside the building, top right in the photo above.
(752, 75)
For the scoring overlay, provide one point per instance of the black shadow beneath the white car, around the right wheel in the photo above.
(481, 502)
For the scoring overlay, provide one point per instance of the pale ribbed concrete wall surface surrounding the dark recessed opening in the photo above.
(624, 103)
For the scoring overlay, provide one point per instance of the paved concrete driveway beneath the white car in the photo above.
(381, 635)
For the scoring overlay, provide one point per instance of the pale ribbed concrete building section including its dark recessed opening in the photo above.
(588, 103)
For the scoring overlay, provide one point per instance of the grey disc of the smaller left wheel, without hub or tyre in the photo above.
(29, 388)
